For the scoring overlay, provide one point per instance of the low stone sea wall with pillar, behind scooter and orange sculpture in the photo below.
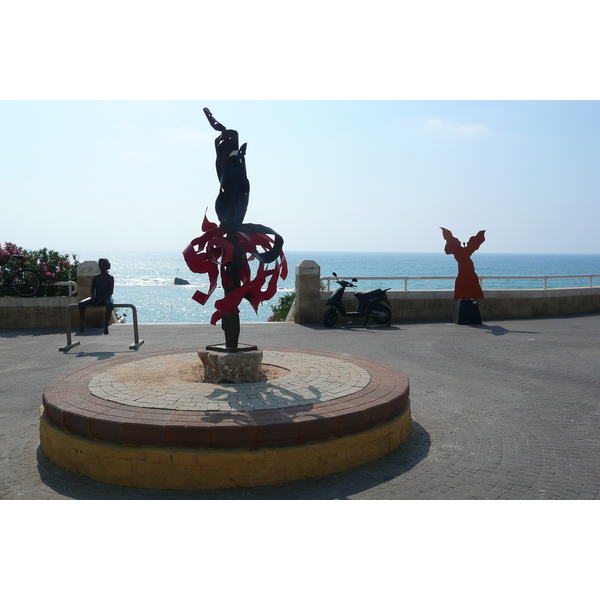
(437, 305)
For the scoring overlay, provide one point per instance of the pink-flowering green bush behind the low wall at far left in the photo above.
(51, 266)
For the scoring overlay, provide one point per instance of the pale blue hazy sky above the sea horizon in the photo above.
(380, 176)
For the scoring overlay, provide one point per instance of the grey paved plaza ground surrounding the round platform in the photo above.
(503, 410)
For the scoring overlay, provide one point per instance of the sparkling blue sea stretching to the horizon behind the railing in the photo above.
(146, 279)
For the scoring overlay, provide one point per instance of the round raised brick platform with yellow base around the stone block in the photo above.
(150, 422)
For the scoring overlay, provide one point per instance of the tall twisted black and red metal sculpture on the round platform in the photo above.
(228, 245)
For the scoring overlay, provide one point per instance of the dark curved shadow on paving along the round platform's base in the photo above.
(339, 486)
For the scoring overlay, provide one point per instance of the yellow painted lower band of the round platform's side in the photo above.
(174, 468)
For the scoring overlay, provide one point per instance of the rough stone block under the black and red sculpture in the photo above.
(231, 367)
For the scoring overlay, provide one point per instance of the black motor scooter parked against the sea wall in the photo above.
(373, 304)
